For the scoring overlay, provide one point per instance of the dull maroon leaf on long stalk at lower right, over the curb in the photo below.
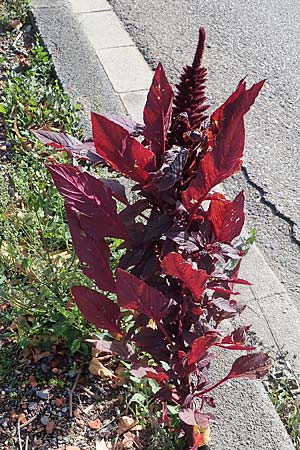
(252, 366)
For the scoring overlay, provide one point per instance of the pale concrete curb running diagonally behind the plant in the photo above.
(96, 59)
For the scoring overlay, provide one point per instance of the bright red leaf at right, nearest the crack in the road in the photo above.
(227, 217)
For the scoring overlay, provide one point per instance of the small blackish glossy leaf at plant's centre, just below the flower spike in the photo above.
(174, 161)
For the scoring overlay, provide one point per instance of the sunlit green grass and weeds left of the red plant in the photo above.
(37, 262)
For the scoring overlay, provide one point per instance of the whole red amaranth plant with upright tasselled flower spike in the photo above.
(181, 262)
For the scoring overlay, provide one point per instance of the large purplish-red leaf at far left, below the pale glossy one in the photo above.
(88, 195)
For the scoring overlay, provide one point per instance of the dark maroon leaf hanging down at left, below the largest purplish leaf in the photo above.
(92, 252)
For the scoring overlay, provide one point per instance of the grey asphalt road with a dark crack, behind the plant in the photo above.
(260, 39)
